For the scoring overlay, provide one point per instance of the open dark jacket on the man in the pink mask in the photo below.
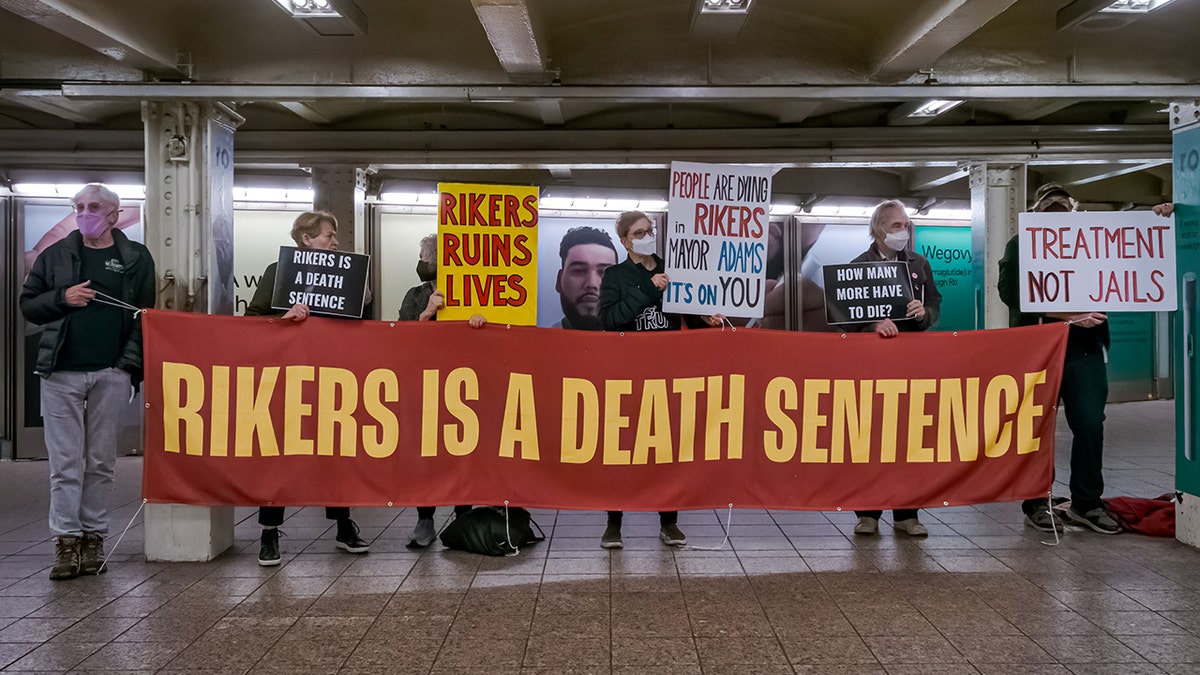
(43, 300)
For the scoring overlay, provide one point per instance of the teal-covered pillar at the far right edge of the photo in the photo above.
(1186, 178)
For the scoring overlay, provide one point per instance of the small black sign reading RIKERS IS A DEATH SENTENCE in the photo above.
(331, 283)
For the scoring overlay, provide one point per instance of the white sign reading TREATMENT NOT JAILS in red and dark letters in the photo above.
(1097, 262)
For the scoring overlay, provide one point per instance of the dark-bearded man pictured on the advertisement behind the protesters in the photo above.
(585, 253)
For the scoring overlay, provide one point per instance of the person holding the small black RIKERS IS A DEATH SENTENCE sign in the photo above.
(311, 230)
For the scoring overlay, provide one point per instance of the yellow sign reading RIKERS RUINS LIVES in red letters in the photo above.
(488, 253)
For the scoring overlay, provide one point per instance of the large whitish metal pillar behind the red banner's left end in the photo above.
(189, 169)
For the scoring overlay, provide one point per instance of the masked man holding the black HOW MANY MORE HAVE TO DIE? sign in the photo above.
(892, 242)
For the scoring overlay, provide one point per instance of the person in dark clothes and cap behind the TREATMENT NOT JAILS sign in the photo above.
(1084, 390)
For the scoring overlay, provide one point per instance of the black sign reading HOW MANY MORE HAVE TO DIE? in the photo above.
(867, 292)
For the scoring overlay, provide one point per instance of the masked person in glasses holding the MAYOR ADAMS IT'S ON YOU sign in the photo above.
(632, 300)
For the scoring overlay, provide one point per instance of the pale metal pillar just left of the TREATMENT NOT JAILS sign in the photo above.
(998, 198)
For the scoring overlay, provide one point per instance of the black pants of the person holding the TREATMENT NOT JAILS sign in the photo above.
(1084, 392)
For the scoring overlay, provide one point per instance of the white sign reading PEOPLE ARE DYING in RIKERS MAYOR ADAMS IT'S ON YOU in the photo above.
(717, 240)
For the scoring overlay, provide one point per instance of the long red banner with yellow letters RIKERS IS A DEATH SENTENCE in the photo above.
(329, 413)
